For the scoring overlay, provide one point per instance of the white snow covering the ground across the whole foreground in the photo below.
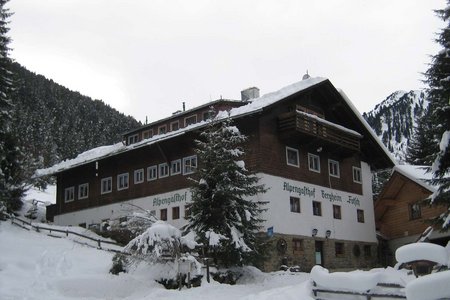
(36, 266)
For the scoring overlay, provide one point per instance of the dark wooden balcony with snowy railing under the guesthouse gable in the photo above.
(318, 131)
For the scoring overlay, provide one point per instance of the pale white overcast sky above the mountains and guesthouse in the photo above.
(146, 57)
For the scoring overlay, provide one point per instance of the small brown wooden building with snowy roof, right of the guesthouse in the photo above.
(401, 214)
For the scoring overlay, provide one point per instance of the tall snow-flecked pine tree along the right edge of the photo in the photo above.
(438, 80)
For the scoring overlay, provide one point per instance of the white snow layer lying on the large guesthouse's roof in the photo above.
(255, 105)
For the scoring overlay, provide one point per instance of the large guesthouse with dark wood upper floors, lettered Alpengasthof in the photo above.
(307, 143)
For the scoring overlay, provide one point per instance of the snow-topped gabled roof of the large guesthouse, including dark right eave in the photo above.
(254, 106)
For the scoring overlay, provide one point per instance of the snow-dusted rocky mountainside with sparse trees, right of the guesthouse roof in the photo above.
(394, 119)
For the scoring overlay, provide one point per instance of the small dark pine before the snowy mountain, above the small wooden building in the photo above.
(422, 145)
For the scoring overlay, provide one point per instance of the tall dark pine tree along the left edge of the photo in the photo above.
(11, 171)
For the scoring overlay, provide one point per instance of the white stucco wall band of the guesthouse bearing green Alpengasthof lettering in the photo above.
(278, 214)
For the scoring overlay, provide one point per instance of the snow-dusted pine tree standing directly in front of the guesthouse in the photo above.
(221, 214)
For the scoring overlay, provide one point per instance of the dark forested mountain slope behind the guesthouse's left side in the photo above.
(53, 123)
